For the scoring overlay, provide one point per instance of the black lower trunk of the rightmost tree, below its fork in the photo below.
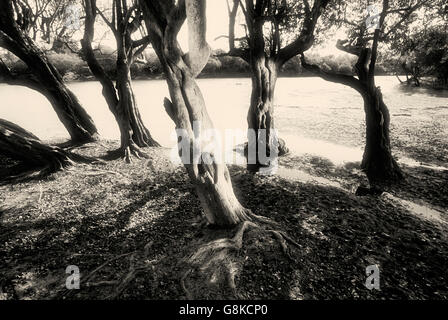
(377, 162)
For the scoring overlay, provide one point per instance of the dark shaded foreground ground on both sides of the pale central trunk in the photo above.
(137, 249)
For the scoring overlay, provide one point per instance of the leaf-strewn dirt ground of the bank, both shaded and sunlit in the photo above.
(131, 227)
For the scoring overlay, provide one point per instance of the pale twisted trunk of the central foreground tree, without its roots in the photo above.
(208, 172)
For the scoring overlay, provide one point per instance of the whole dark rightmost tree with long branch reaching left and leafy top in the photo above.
(378, 163)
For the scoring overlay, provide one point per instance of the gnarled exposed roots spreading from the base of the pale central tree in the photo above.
(212, 268)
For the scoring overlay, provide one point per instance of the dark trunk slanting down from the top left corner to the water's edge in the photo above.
(44, 77)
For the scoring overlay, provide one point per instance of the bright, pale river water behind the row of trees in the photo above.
(312, 115)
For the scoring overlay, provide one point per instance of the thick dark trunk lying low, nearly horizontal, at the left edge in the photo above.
(19, 144)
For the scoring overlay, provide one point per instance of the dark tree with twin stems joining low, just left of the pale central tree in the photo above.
(120, 98)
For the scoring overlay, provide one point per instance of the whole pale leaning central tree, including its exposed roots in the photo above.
(210, 176)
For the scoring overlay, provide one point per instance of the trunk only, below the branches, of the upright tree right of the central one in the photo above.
(260, 117)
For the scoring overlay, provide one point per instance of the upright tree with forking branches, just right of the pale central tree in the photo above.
(266, 63)
